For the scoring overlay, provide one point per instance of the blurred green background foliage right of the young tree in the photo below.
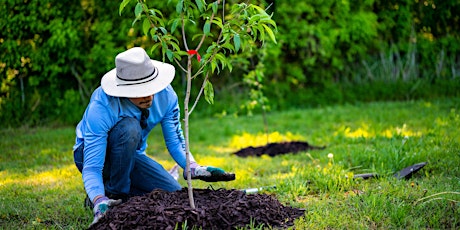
(334, 43)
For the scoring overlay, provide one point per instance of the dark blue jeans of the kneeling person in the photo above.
(127, 173)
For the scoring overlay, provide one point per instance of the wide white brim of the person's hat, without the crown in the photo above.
(114, 87)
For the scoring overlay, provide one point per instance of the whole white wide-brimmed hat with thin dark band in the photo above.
(136, 75)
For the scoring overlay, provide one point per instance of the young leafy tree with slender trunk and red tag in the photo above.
(220, 33)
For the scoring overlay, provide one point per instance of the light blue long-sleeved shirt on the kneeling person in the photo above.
(104, 111)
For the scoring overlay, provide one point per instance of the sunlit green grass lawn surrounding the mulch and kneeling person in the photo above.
(40, 188)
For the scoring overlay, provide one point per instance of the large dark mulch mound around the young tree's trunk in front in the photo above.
(214, 209)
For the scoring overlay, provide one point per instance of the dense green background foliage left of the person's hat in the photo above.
(53, 55)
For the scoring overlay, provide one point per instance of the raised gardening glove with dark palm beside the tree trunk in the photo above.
(208, 173)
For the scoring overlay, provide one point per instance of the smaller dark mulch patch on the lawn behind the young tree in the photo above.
(273, 149)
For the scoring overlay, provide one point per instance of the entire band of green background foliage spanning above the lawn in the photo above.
(55, 52)
